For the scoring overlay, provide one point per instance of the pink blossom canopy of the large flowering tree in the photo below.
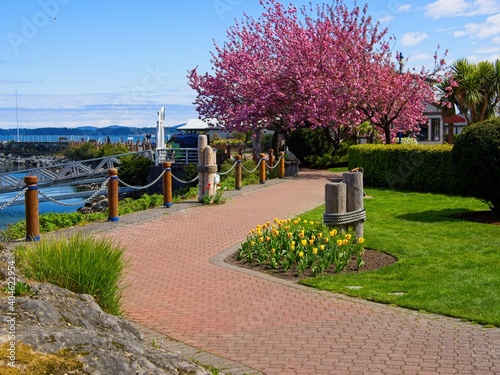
(289, 69)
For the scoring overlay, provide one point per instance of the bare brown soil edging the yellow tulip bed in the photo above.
(372, 260)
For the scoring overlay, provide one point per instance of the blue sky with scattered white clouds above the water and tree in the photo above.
(94, 62)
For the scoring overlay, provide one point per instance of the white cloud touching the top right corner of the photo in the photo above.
(461, 8)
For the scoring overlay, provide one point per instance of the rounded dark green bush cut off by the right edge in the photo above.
(476, 162)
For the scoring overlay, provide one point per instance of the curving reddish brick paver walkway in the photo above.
(177, 286)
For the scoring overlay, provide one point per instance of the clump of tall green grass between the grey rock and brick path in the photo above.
(84, 265)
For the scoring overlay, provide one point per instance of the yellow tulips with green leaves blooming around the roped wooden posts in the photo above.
(300, 245)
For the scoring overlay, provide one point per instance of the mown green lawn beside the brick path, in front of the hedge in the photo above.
(445, 265)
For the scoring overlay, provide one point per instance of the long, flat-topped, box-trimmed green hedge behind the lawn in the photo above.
(422, 168)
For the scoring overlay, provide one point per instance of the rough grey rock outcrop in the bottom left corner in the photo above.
(51, 319)
